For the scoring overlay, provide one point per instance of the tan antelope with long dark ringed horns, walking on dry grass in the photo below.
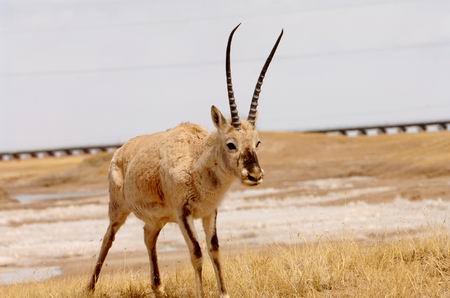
(182, 174)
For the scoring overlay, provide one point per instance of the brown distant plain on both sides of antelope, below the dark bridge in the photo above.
(286, 157)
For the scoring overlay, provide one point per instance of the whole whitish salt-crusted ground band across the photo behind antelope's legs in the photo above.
(244, 222)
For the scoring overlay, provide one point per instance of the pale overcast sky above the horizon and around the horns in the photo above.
(84, 72)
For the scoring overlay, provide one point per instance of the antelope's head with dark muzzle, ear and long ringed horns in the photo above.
(239, 141)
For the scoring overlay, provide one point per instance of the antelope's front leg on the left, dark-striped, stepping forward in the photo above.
(186, 223)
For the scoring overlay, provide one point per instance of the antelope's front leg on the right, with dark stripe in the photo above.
(209, 225)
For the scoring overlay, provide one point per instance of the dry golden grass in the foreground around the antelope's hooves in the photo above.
(408, 267)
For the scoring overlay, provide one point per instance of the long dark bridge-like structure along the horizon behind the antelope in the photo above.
(369, 130)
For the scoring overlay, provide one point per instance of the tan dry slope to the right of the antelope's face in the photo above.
(320, 156)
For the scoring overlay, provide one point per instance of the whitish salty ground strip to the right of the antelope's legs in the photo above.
(290, 225)
